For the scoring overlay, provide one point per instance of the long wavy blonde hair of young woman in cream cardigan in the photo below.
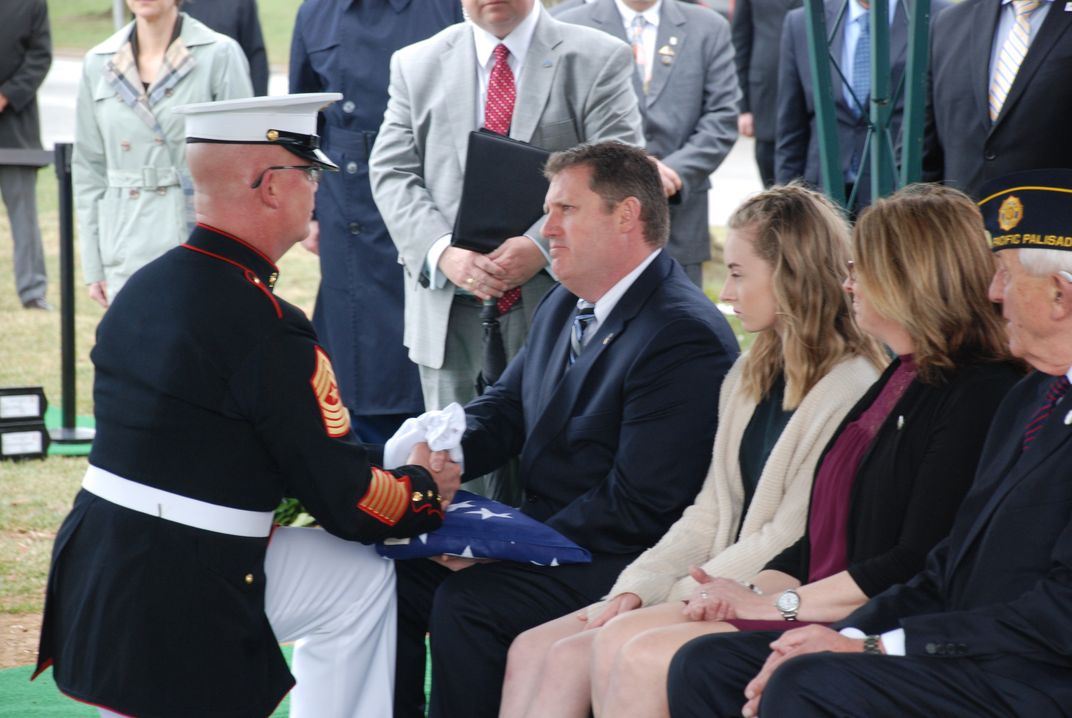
(806, 241)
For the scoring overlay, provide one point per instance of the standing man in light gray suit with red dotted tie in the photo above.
(569, 85)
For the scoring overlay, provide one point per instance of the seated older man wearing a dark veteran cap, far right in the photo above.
(986, 630)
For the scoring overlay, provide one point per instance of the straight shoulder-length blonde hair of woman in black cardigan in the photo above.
(925, 262)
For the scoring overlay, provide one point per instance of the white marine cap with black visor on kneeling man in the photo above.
(289, 121)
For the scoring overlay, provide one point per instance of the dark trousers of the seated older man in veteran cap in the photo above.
(709, 675)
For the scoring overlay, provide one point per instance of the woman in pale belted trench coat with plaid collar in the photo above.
(132, 189)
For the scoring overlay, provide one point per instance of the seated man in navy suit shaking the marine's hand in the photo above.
(612, 406)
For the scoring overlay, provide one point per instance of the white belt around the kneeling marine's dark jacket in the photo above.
(173, 507)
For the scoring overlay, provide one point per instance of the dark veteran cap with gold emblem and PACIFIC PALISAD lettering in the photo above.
(1030, 211)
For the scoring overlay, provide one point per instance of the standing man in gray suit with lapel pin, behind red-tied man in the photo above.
(689, 95)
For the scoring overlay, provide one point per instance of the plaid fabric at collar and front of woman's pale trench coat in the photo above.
(123, 74)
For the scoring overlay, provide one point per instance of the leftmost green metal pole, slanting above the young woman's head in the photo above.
(818, 49)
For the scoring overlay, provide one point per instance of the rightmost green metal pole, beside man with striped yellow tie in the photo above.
(916, 93)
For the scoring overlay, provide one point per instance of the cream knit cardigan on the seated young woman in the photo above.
(705, 535)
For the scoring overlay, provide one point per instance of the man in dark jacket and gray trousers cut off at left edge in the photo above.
(24, 64)
